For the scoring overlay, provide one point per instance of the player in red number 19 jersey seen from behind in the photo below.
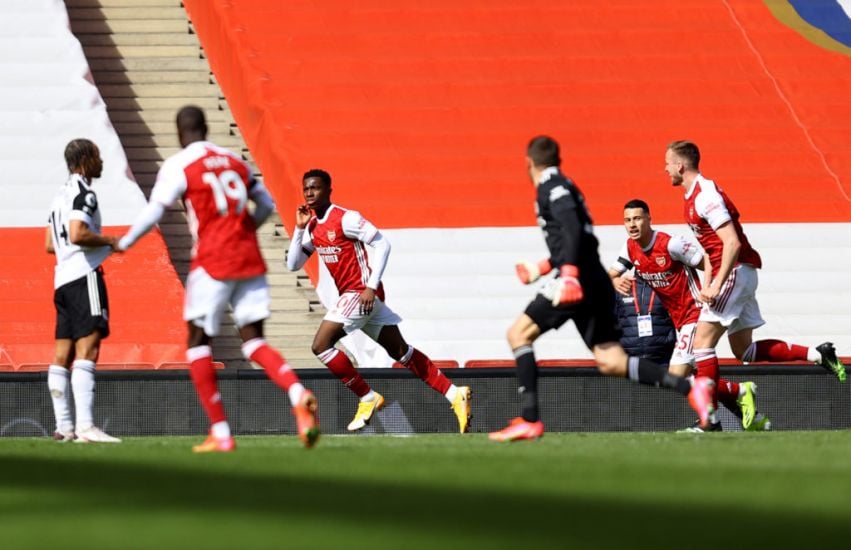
(227, 268)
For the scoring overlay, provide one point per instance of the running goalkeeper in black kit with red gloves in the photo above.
(581, 291)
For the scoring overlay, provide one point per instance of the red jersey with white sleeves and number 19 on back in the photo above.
(215, 185)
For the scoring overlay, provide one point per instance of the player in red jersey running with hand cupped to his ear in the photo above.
(339, 236)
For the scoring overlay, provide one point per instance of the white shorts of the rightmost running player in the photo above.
(736, 307)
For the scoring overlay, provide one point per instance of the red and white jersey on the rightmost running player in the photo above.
(707, 208)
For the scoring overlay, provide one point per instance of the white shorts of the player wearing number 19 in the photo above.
(207, 298)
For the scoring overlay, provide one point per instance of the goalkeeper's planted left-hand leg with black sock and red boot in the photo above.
(528, 426)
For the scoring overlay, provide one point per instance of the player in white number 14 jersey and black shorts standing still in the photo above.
(82, 320)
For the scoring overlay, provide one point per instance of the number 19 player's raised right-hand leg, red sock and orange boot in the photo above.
(304, 405)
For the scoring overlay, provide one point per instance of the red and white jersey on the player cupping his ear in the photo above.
(339, 238)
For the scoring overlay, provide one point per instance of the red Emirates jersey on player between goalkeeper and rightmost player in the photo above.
(667, 266)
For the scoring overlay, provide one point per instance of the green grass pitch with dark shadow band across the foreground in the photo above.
(730, 490)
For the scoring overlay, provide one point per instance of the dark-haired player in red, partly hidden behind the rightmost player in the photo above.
(667, 263)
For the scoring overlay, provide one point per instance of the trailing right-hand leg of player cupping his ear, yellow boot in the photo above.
(390, 338)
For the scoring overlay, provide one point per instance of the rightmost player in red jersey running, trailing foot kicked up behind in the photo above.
(728, 293)
